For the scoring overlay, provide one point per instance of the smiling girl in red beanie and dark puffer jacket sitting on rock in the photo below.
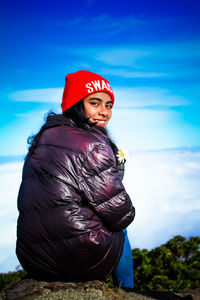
(72, 204)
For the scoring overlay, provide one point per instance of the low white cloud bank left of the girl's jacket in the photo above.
(9, 185)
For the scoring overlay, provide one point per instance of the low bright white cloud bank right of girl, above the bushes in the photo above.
(167, 202)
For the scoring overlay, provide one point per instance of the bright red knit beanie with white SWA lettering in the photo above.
(80, 84)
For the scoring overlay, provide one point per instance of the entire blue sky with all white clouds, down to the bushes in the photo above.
(150, 53)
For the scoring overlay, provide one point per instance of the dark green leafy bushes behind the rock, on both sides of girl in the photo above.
(173, 266)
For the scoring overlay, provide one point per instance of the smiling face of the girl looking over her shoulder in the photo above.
(98, 108)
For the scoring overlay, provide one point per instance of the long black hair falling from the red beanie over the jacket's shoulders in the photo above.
(77, 115)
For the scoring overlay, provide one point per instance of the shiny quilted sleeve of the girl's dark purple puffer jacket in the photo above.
(103, 189)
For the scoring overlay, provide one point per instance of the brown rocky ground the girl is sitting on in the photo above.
(30, 289)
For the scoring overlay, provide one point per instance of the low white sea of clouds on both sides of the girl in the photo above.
(167, 202)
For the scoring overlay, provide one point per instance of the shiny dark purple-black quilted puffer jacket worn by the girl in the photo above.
(72, 207)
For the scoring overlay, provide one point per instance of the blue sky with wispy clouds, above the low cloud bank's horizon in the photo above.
(148, 50)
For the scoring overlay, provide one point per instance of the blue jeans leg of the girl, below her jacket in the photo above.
(123, 274)
